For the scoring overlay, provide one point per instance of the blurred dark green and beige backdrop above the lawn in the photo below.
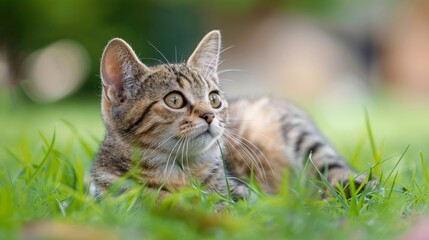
(50, 50)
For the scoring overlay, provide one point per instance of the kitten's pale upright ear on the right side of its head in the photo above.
(206, 56)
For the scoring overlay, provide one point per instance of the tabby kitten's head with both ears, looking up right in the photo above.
(165, 106)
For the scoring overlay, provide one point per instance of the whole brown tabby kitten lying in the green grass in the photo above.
(176, 120)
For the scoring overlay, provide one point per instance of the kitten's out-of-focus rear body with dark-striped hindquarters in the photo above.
(270, 136)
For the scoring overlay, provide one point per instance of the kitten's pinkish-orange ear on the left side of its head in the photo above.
(120, 68)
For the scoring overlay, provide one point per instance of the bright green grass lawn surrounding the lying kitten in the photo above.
(46, 154)
